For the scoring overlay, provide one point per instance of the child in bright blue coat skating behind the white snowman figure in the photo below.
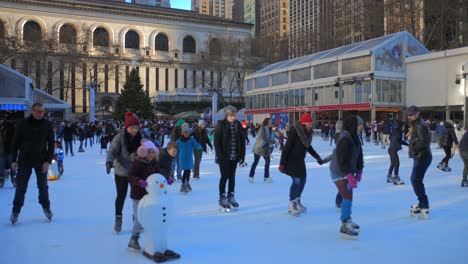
(187, 144)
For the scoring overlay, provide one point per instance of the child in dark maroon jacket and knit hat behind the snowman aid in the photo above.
(144, 164)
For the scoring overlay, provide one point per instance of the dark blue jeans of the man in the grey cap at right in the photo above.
(417, 176)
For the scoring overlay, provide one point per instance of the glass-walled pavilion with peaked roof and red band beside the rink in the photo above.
(367, 77)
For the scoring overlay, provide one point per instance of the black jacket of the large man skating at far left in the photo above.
(33, 142)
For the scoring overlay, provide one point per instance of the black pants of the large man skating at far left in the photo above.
(22, 179)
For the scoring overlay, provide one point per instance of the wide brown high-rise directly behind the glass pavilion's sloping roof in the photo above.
(318, 25)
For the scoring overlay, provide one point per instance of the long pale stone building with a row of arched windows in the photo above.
(68, 46)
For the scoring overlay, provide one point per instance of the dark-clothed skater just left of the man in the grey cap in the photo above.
(396, 140)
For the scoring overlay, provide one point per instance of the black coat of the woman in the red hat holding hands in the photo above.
(294, 152)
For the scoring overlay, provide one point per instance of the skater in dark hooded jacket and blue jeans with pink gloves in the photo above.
(346, 170)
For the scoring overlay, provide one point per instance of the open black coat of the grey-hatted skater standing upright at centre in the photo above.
(222, 139)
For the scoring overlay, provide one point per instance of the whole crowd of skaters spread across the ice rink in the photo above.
(133, 143)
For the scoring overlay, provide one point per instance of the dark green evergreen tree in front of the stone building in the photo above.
(134, 99)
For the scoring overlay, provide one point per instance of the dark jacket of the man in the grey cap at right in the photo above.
(420, 142)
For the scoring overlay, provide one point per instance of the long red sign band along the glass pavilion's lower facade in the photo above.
(361, 106)
